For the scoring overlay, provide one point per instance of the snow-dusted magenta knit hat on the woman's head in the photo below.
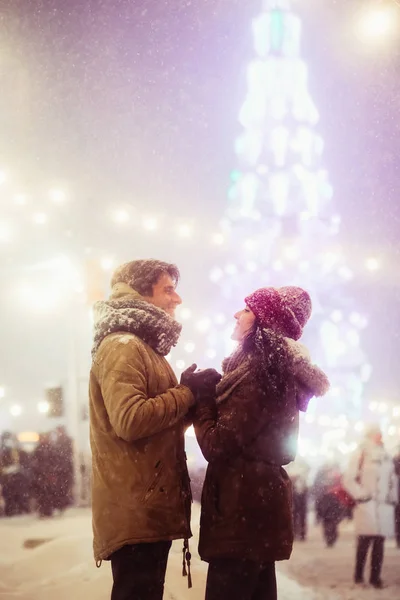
(286, 310)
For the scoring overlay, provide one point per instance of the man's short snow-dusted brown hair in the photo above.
(141, 275)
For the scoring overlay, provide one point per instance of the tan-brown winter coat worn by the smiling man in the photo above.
(140, 489)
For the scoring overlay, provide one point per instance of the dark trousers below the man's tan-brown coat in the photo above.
(139, 571)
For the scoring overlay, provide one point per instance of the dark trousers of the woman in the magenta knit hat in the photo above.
(234, 579)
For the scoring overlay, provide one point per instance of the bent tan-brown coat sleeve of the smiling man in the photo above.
(132, 413)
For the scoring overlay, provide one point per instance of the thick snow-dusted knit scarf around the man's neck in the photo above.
(127, 311)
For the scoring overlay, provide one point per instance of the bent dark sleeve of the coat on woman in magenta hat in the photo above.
(225, 433)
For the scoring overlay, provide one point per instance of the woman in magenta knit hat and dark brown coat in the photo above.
(246, 434)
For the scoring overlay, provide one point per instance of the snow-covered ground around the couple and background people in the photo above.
(48, 559)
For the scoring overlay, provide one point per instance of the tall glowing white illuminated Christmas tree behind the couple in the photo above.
(281, 225)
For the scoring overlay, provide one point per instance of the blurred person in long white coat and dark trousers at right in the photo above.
(370, 479)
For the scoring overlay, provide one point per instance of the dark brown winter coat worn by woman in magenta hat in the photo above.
(247, 497)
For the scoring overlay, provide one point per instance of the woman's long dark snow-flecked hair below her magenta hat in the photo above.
(269, 359)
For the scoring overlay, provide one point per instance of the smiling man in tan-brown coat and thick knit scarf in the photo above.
(140, 489)
